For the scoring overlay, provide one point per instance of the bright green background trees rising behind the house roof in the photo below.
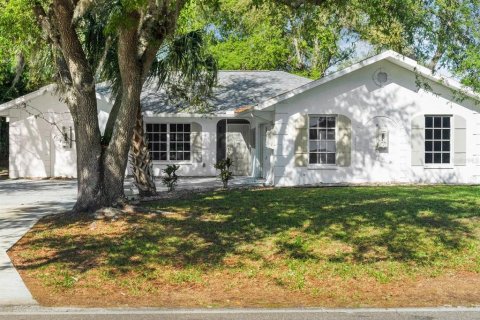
(245, 35)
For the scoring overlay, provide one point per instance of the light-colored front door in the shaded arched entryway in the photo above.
(238, 148)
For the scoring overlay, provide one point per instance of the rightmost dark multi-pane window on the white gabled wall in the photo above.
(437, 139)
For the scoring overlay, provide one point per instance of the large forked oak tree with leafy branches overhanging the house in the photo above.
(441, 32)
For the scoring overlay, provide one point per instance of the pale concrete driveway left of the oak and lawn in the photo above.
(22, 203)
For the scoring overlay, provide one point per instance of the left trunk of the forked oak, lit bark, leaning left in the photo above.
(80, 96)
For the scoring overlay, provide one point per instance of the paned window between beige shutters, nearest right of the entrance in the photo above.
(321, 139)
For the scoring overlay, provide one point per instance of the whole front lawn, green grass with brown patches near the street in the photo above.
(355, 246)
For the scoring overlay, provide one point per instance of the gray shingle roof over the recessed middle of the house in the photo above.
(234, 89)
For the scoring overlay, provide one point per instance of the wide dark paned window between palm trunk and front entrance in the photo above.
(169, 142)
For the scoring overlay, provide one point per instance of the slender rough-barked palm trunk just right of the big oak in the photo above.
(141, 161)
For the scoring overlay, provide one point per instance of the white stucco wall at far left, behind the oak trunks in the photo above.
(37, 148)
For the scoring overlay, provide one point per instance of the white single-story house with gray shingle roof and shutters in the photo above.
(386, 119)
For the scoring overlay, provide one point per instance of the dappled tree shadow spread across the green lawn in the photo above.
(416, 225)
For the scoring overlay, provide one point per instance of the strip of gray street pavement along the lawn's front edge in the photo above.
(242, 314)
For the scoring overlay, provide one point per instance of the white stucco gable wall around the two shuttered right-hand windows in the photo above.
(358, 97)
